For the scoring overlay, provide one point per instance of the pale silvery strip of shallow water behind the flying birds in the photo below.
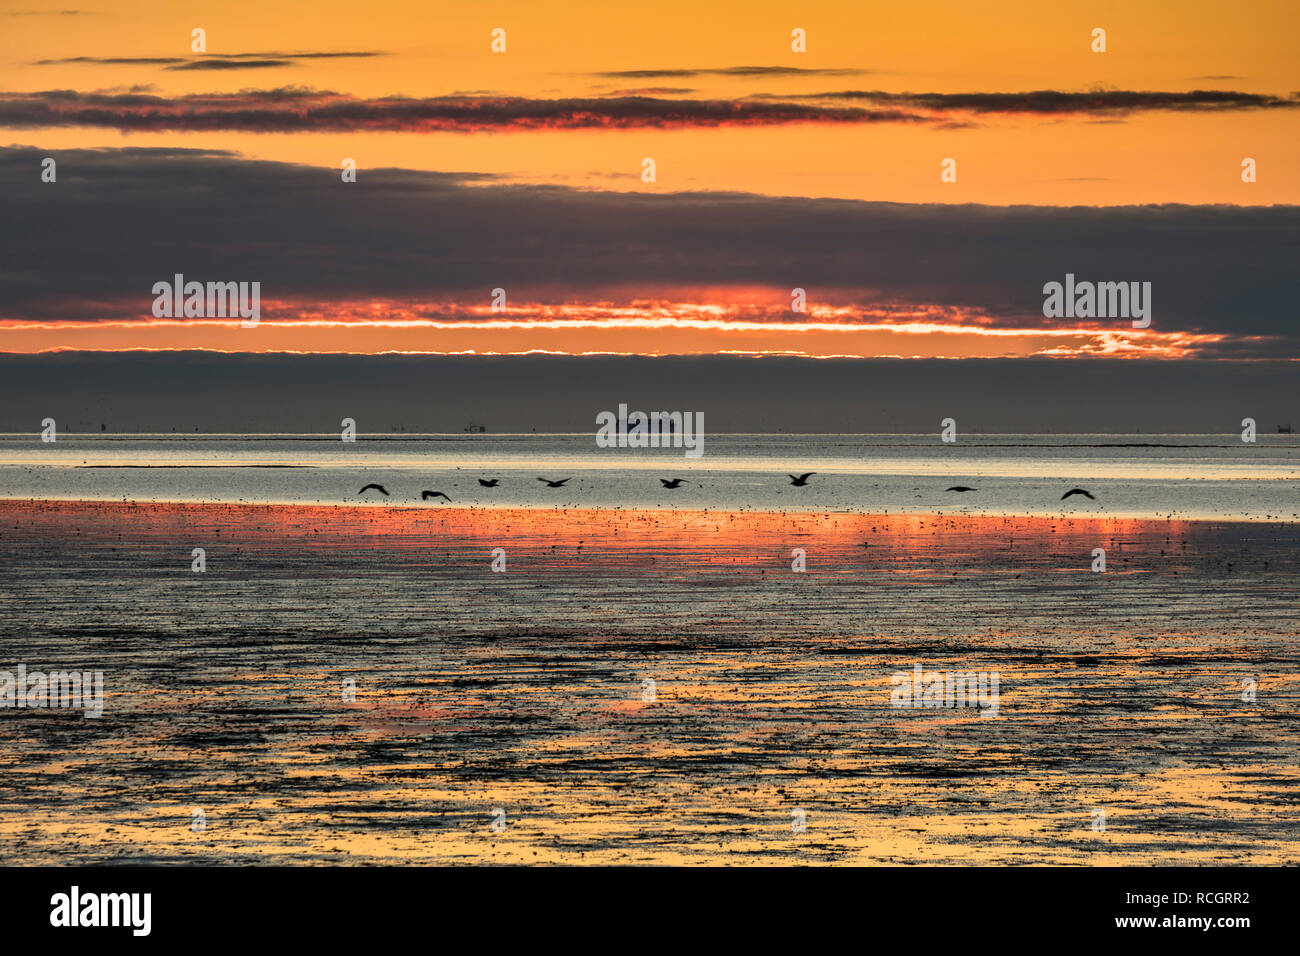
(1132, 477)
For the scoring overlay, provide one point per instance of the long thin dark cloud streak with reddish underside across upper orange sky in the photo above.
(293, 110)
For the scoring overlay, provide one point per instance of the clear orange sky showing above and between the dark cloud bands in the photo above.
(561, 51)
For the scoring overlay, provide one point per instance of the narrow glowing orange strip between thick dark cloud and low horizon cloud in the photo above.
(647, 335)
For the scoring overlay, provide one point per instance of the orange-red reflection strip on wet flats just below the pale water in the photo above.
(704, 538)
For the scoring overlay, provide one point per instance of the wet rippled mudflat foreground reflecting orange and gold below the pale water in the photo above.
(525, 691)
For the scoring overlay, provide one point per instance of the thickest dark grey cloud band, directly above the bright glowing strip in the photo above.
(120, 220)
